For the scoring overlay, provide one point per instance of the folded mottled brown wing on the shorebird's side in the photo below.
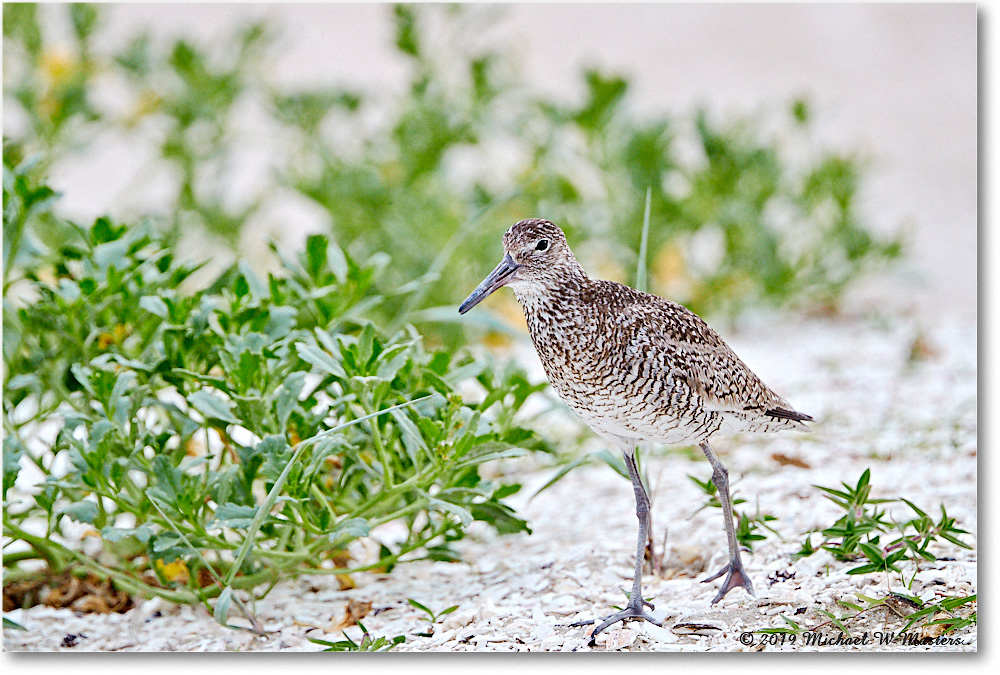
(694, 353)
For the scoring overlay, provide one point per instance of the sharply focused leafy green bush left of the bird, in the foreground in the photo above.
(172, 412)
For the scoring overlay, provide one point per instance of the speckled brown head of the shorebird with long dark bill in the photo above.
(536, 256)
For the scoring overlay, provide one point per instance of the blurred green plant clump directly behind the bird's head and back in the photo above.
(729, 194)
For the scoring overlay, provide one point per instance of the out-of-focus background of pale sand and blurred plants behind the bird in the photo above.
(790, 152)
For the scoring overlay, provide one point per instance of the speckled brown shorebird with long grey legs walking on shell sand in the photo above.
(635, 368)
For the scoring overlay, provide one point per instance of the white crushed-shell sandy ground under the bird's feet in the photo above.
(912, 422)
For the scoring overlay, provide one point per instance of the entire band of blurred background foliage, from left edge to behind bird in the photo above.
(420, 182)
